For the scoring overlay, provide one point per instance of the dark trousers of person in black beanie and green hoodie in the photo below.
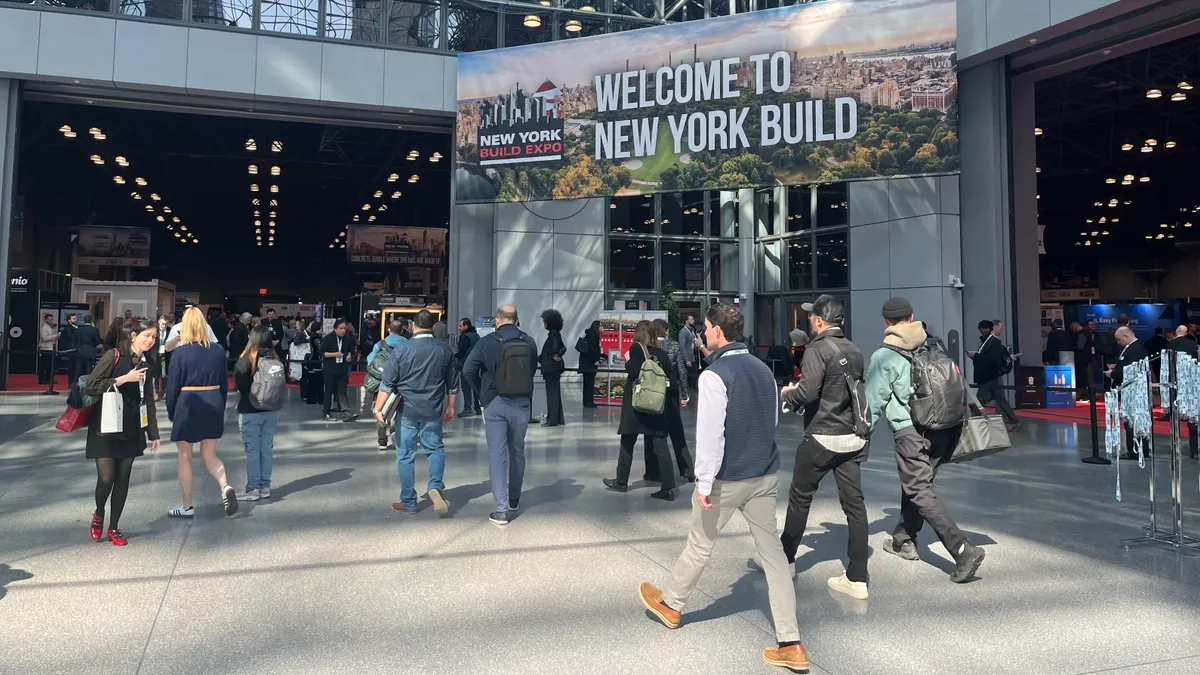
(919, 457)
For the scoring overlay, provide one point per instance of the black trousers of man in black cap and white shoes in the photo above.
(813, 463)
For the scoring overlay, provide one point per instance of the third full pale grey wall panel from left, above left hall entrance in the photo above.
(221, 62)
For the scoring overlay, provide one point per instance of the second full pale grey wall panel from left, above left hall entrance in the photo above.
(152, 55)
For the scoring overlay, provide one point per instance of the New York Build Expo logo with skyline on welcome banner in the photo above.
(519, 128)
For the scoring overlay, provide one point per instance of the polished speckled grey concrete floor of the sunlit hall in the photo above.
(327, 580)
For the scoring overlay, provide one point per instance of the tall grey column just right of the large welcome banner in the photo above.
(985, 195)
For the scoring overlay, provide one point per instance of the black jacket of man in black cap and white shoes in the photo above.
(823, 390)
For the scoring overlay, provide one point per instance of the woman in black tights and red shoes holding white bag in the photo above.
(124, 368)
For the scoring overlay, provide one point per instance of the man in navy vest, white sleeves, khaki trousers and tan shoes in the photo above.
(736, 465)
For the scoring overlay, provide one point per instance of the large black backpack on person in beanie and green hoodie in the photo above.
(939, 392)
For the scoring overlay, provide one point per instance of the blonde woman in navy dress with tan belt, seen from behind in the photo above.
(197, 387)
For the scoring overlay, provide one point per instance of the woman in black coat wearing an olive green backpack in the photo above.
(633, 423)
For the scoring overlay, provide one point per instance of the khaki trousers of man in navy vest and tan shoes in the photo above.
(757, 501)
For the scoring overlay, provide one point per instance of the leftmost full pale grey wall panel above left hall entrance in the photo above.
(76, 47)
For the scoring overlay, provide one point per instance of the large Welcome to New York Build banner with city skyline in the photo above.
(823, 92)
